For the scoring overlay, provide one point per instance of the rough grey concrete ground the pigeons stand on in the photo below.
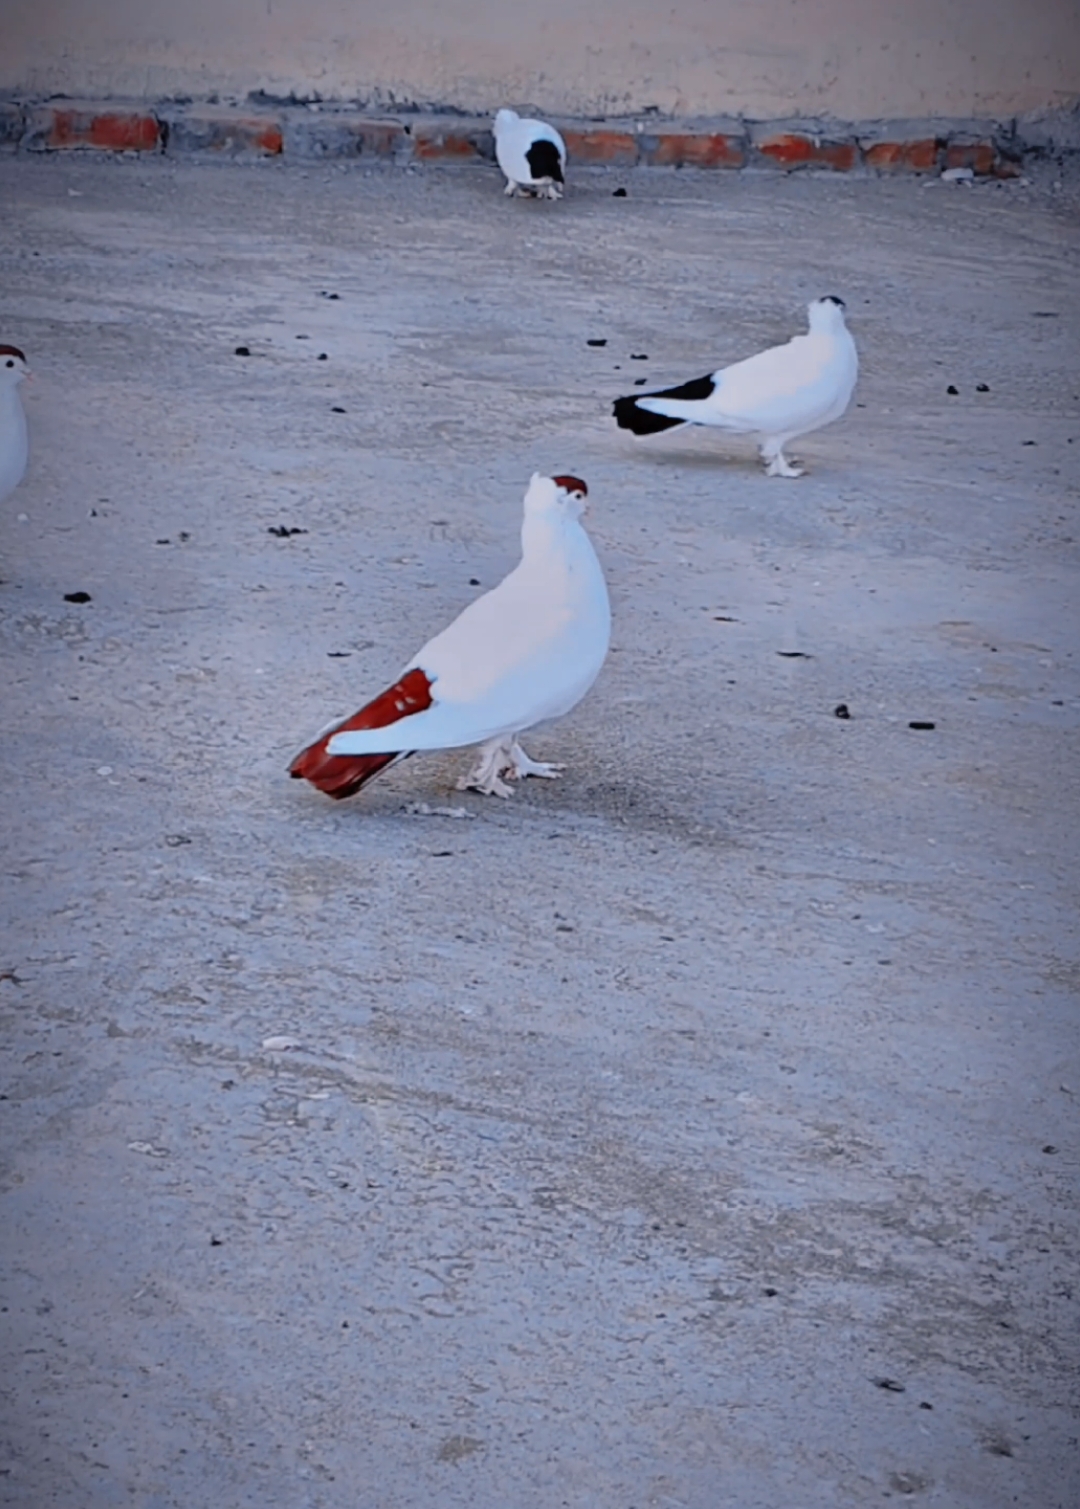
(698, 1131)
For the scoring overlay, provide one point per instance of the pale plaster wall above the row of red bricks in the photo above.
(851, 60)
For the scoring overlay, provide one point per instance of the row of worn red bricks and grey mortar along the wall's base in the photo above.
(298, 134)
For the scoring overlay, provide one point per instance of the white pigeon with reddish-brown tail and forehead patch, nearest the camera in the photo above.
(526, 653)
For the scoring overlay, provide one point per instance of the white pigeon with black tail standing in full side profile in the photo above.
(785, 392)
